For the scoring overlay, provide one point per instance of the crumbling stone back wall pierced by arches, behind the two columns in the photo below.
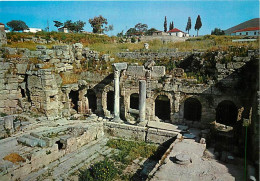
(35, 87)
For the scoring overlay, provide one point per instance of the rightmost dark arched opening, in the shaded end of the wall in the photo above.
(226, 113)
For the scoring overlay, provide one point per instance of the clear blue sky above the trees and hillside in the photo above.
(125, 14)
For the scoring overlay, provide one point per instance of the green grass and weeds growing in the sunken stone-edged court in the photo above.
(113, 168)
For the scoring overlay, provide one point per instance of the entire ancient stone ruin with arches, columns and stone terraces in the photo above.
(49, 116)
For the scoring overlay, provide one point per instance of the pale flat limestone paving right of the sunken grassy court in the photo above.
(201, 169)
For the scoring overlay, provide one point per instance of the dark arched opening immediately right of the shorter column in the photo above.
(162, 107)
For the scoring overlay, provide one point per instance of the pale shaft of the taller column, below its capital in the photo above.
(117, 95)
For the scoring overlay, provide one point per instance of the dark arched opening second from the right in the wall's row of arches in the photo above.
(192, 109)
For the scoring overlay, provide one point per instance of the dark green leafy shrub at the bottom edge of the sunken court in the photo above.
(102, 171)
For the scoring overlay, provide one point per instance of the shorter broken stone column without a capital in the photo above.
(142, 100)
